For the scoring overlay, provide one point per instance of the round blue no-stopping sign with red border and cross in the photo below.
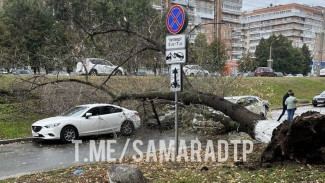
(177, 19)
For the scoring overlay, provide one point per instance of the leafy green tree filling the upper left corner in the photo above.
(34, 37)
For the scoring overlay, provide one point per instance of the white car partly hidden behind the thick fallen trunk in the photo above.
(252, 103)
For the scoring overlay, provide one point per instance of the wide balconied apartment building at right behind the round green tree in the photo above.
(298, 23)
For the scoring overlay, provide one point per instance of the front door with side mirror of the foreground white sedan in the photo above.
(91, 125)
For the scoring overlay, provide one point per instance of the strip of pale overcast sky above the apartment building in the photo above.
(258, 4)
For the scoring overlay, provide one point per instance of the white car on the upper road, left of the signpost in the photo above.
(97, 66)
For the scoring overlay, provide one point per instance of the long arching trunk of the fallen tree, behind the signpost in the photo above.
(244, 117)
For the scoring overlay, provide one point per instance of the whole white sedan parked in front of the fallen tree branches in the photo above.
(84, 120)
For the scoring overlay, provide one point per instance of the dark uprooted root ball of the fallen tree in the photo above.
(302, 140)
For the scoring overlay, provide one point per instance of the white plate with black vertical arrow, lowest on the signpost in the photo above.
(176, 78)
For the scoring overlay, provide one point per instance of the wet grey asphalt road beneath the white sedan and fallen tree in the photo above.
(29, 157)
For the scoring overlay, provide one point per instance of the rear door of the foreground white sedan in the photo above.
(111, 118)
